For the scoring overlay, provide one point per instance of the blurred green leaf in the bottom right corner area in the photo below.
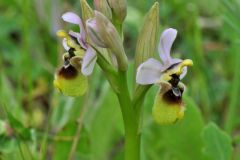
(217, 143)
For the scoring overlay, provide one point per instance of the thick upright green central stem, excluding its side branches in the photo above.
(132, 136)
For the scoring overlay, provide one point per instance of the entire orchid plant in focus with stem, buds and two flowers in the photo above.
(100, 40)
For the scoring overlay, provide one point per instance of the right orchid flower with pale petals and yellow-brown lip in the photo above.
(168, 106)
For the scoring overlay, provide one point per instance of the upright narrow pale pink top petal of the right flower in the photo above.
(165, 44)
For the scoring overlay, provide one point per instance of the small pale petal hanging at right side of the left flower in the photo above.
(89, 61)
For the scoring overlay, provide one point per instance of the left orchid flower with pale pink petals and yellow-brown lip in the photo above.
(79, 59)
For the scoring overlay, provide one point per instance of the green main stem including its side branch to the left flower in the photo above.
(131, 118)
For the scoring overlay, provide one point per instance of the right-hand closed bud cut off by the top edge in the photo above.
(119, 9)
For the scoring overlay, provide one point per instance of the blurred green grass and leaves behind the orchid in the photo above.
(37, 122)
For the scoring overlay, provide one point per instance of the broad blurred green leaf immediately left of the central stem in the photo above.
(106, 127)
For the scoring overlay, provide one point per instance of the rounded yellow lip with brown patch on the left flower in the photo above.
(70, 81)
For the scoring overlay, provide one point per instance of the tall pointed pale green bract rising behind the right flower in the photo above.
(147, 39)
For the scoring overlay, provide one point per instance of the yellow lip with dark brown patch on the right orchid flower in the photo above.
(168, 106)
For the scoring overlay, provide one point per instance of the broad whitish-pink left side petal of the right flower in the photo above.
(149, 72)
